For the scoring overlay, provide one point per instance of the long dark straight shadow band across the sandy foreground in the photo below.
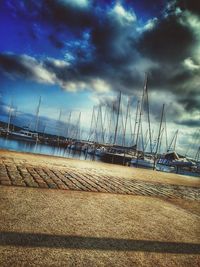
(99, 243)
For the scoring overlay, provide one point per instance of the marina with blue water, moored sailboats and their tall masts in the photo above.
(114, 136)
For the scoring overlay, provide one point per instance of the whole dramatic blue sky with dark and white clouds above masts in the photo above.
(77, 54)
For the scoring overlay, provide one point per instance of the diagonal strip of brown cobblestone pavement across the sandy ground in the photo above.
(21, 173)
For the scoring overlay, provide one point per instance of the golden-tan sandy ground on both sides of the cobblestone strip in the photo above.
(43, 227)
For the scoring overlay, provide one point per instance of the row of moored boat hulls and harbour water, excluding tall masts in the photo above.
(97, 152)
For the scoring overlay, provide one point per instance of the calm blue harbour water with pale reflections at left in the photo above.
(23, 146)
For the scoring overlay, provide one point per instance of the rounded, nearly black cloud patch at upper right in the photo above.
(169, 41)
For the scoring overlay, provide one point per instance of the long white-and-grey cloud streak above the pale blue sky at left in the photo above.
(46, 72)
